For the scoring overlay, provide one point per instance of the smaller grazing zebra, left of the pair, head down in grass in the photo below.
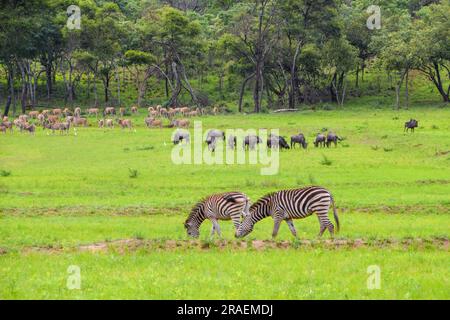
(224, 206)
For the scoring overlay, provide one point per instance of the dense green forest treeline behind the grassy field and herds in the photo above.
(284, 53)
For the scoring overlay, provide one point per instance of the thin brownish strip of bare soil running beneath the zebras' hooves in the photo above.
(124, 246)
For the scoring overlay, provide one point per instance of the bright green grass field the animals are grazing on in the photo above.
(58, 193)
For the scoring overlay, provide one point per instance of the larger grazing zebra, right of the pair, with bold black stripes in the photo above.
(288, 205)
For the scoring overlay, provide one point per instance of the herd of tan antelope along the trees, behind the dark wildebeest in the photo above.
(61, 120)
